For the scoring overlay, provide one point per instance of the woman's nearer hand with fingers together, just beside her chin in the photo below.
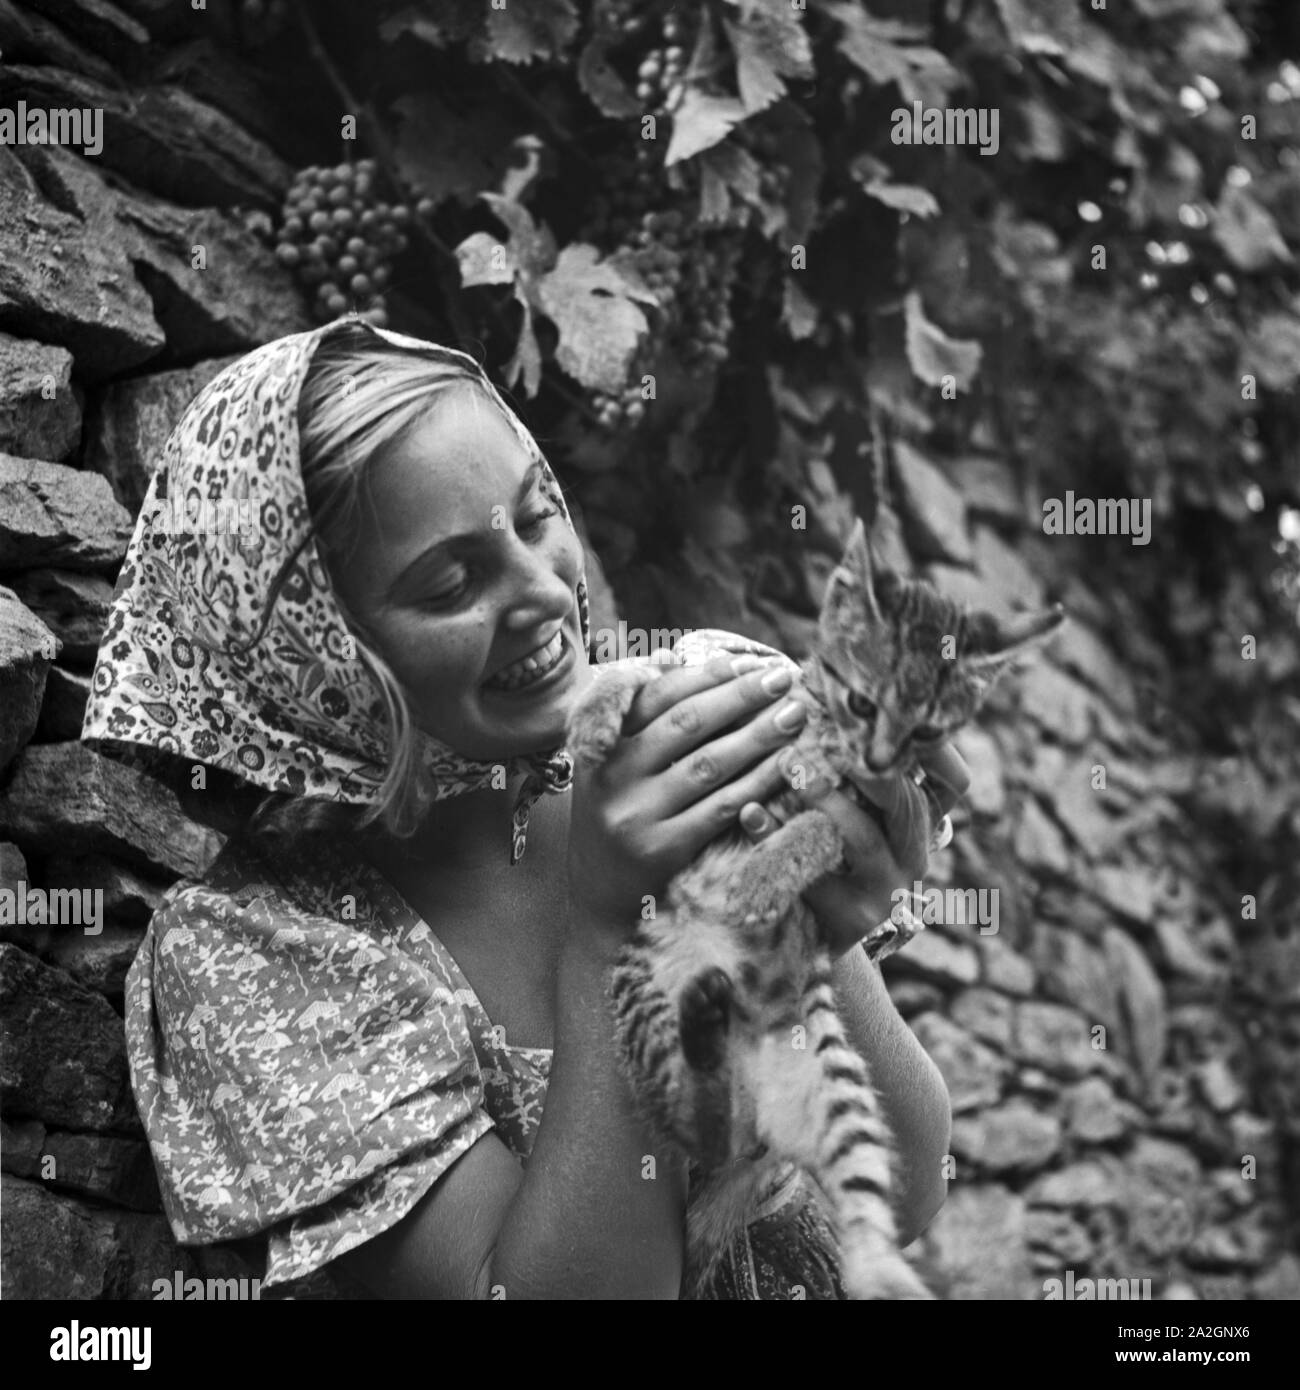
(699, 744)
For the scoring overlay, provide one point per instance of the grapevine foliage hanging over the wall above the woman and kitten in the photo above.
(1166, 133)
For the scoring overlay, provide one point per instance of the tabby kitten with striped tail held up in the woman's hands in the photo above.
(724, 1003)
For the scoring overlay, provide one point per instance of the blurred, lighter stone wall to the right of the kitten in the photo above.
(1121, 1052)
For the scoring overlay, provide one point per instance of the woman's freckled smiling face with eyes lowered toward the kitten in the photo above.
(462, 571)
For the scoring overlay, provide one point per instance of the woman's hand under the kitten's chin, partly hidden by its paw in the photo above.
(884, 854)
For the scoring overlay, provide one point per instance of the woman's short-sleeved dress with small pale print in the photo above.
(309, 1060)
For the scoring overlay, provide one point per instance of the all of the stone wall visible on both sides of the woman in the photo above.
(1121, 1053)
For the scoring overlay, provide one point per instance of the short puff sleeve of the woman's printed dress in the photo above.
(295, 1075)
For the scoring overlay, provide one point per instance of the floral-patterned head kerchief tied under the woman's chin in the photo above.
(226, 644)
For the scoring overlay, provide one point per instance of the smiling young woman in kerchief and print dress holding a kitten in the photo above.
(375, 1040)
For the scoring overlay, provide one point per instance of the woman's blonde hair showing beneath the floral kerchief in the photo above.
(361, 395)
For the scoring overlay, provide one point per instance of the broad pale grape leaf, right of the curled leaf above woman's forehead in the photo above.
(594, 309)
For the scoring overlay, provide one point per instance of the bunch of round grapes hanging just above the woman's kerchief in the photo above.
(341, 240)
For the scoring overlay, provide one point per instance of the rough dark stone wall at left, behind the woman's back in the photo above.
(108, 329)
